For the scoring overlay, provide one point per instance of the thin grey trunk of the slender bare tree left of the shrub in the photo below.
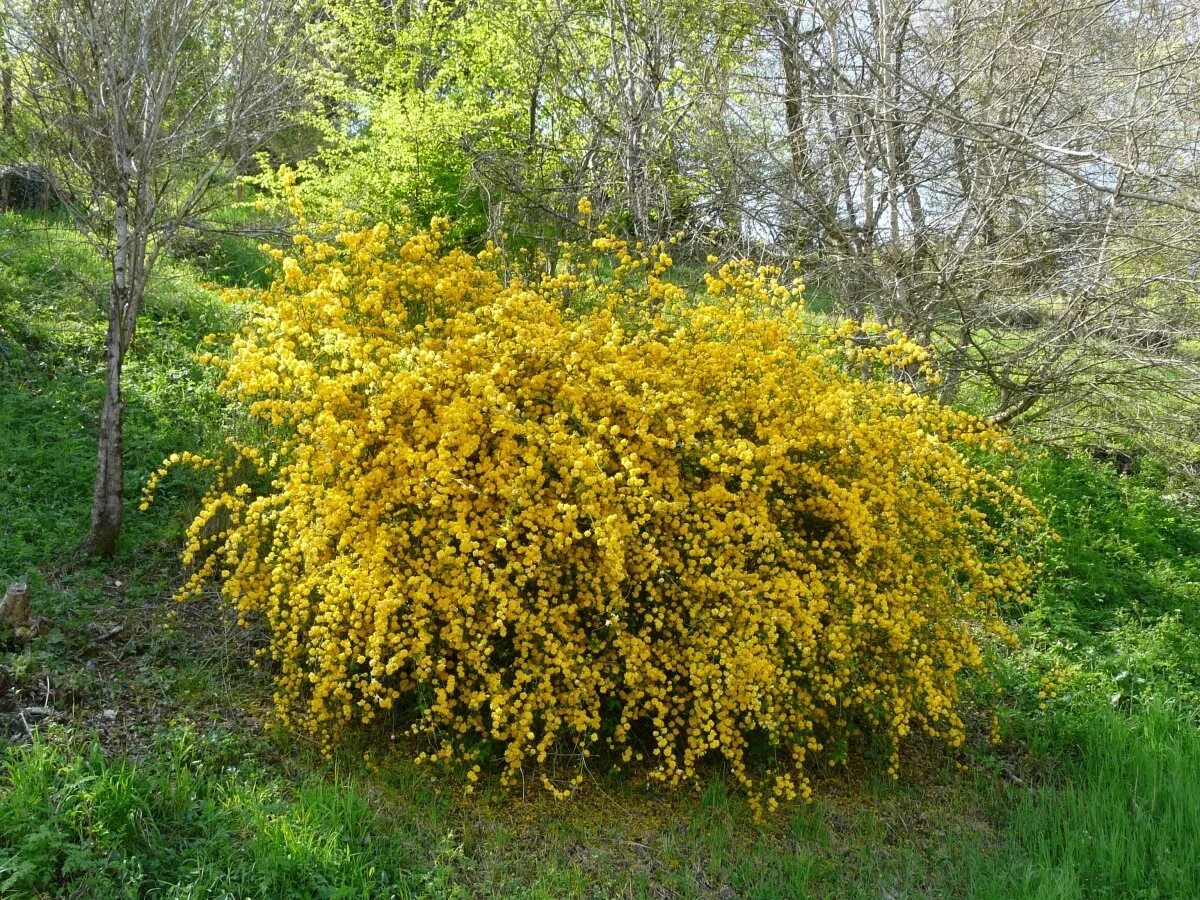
(107, 505)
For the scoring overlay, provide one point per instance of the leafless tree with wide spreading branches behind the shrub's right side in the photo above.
(1016, 184)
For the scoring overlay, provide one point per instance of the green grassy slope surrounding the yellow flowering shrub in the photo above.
(153, 776)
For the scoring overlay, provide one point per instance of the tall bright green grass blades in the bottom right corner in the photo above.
(1117, 820)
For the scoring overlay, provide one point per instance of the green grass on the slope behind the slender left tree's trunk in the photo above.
(51, 363)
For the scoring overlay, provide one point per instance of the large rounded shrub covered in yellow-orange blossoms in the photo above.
(572, 512)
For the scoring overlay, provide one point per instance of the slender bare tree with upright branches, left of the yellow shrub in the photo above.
(140, 110)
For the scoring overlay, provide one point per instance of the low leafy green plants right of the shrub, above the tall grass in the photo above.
(1118, 614)
